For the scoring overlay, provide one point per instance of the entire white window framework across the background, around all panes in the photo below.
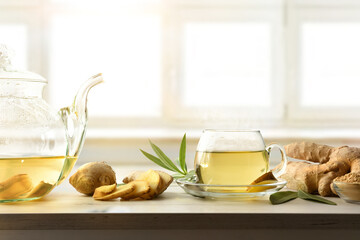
(285, 17)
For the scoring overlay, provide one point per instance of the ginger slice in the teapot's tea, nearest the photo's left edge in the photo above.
(15, 186)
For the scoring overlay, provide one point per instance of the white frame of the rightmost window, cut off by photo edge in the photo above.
(300, 12)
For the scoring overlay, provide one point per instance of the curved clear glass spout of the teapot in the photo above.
(75, 116)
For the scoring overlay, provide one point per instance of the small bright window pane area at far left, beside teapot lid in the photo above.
(15, 37)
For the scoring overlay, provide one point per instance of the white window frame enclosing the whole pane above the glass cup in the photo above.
(221, 11)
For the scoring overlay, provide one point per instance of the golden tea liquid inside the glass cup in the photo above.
(230, 168)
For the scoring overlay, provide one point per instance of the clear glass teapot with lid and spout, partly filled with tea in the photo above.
(38, 146)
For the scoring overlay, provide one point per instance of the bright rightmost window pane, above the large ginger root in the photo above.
(330, 60)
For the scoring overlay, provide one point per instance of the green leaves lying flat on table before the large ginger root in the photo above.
(282, 197)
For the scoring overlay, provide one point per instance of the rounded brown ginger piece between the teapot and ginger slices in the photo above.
(91, 176)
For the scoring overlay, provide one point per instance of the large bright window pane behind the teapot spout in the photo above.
(126, 49)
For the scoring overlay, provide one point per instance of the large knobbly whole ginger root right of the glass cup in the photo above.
(333, 162)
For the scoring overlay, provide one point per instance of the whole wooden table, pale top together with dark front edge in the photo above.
(65, 208)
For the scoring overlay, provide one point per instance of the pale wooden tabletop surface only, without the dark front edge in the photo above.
(174, 200)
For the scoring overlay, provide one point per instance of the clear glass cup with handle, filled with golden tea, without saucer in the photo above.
(234, 157)
